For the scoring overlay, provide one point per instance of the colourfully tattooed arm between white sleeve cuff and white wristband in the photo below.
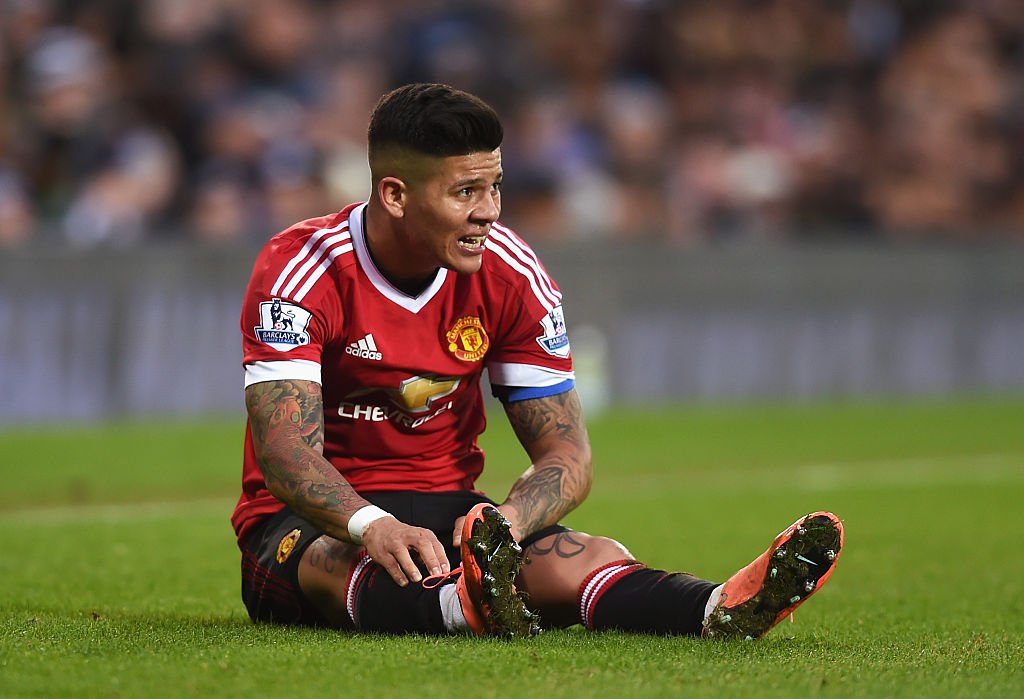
(287, 423)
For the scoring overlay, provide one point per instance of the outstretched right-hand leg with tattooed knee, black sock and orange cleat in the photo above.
(617, 592)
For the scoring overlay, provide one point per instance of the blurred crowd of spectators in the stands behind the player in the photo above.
(225, 121)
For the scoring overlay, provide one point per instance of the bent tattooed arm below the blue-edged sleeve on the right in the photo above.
(554, 435)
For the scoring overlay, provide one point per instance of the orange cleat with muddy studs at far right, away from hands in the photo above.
(796, 565)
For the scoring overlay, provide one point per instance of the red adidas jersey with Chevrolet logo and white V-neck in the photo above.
(401, 375)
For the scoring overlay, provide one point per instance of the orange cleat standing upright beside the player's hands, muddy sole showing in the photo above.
(491, 560)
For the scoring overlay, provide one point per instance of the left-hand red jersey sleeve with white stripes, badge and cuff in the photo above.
(284, 332)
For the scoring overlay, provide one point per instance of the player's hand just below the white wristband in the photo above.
(393, 545)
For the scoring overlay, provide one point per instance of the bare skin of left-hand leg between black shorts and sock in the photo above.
(324, 577)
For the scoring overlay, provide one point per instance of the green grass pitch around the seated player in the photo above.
(119, 574)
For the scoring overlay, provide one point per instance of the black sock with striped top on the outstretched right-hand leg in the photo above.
(631, 597)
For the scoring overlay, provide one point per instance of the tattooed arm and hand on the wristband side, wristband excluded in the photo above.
(287, 423)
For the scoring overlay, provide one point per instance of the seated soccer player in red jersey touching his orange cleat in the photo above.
(366, 334)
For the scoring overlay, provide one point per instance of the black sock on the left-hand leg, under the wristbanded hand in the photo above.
(382, 606)
